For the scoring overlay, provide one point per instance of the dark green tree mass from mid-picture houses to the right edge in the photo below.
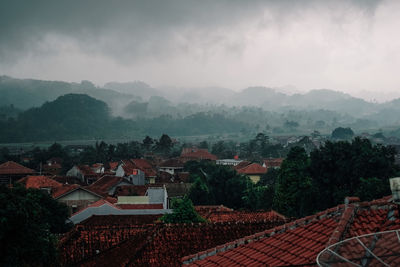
(305, 183)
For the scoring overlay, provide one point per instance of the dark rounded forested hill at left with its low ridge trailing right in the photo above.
(78, 116)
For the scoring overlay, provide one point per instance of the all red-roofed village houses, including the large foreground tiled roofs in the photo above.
(116, 206)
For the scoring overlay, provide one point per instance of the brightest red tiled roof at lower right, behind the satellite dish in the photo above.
(299, 242)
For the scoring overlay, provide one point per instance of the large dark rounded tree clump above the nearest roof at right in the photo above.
(338, 169)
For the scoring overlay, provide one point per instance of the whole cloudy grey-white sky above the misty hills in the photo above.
(351, 46)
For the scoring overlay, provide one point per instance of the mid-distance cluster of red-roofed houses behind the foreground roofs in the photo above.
(127, 187)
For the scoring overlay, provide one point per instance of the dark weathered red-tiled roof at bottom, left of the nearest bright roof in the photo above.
(149, 245)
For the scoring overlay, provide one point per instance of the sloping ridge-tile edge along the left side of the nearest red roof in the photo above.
(257, 236)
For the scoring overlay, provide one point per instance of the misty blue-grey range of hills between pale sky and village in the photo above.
(142, 109)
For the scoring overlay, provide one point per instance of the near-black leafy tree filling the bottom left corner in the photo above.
(28, 221)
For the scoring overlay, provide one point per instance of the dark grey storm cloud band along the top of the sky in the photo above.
(132, 28)
